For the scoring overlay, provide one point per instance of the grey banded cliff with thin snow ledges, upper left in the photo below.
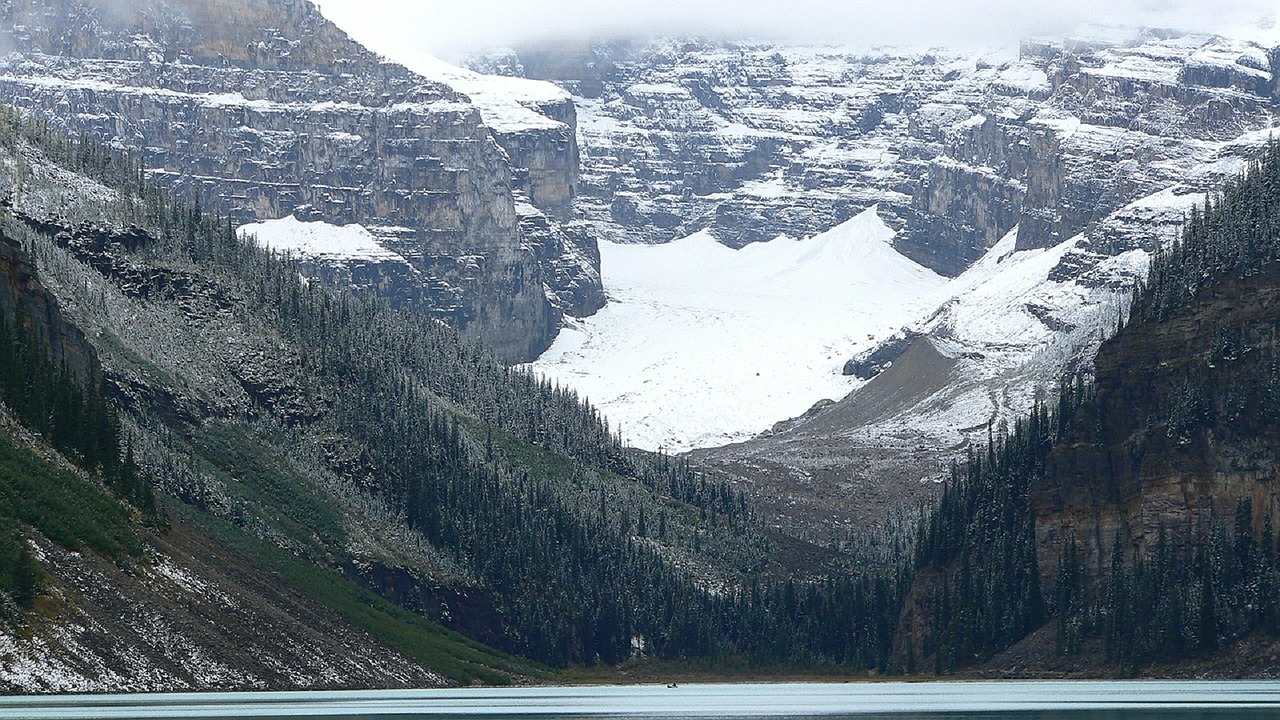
(266, 110)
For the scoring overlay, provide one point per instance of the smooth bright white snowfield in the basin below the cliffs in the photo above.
(703, 345)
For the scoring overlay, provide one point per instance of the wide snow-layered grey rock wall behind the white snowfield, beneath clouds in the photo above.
(756, 140)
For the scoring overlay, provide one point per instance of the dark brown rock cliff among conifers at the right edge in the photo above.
(1187, 429)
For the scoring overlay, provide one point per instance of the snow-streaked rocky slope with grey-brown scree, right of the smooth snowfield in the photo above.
(1003, 335)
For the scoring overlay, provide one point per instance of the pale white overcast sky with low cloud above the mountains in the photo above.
(455, 28)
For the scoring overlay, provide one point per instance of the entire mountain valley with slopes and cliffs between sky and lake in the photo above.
(321, 370)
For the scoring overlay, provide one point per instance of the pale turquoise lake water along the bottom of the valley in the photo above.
(1146, 700)
